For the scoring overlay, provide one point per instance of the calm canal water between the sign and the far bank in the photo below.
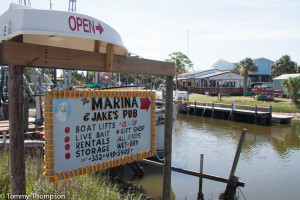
(269, 162)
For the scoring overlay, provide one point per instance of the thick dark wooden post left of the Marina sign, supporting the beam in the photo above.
(16, 131)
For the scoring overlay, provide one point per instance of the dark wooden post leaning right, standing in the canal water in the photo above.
(233, 180)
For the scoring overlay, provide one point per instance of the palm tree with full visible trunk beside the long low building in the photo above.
(244, 67)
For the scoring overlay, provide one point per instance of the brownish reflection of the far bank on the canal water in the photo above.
(283, 138)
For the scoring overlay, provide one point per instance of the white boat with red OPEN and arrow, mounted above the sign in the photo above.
(60, 29)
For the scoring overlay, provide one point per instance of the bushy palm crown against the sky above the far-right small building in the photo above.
(283, 66)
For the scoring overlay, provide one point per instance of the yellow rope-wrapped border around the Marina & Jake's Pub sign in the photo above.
(49, 158)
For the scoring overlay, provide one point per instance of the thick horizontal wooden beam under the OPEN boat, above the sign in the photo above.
(16, 53)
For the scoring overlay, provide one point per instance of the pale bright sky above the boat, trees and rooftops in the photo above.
(205, 30)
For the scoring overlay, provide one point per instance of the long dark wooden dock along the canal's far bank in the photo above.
(247, 114)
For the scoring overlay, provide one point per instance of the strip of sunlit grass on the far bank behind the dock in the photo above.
(278, 105)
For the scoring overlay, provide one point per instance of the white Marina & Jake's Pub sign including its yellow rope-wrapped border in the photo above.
(95, 130)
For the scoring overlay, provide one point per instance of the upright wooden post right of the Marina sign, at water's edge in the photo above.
(168, 138)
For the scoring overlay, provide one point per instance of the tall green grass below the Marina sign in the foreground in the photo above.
(93, 186)
